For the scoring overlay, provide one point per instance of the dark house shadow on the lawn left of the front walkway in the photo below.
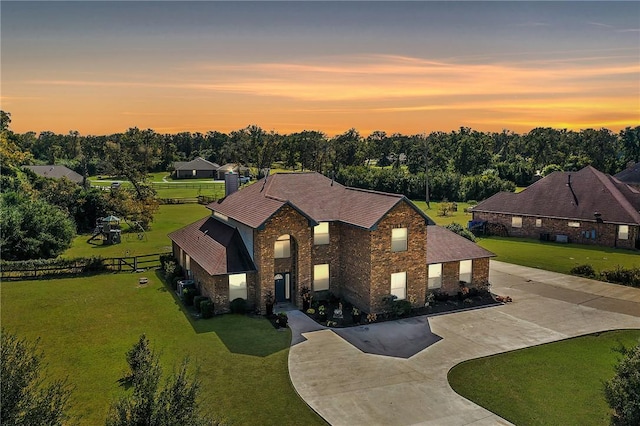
(241, 334)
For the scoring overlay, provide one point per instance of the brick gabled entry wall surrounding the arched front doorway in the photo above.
(286, 221)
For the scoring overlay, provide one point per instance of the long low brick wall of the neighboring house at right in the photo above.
(606, 234)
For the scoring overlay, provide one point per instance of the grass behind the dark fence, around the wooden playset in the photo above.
(169, 218)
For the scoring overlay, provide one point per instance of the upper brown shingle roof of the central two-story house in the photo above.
(314, 195)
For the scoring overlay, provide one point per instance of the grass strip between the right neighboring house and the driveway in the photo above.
(557, 257)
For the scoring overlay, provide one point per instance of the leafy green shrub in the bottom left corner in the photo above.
(27, 398)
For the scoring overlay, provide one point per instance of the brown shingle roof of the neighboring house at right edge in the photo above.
(590, 191)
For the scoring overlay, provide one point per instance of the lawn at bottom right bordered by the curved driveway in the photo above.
(554, 384)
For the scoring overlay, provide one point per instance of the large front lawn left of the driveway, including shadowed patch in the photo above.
(87, 324)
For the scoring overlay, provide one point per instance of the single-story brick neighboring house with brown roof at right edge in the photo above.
(585, 207)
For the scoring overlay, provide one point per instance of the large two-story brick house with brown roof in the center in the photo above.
(303, 230)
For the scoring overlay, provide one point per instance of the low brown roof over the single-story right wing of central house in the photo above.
(446, 246)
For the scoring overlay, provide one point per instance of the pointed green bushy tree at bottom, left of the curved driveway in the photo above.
(149, 404)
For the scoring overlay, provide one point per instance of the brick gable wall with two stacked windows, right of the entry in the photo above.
(413, 261)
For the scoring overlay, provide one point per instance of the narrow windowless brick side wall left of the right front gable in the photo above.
(355, 265)
